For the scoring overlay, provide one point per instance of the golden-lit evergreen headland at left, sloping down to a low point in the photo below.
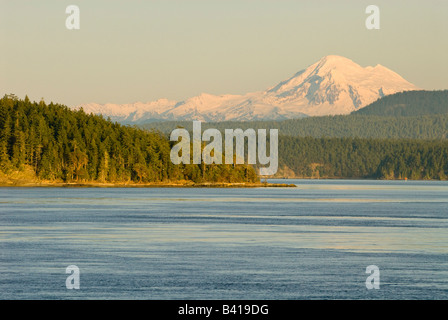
(59, 144)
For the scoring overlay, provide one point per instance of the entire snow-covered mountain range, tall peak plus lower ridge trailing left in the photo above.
(333, 85)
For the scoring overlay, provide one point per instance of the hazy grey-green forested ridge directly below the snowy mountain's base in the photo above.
(421, 127)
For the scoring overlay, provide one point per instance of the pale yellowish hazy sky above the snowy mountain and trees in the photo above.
(128, 51)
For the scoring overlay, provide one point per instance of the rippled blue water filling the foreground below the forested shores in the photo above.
(310, 242)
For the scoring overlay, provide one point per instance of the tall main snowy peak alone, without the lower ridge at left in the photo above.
(335, 85)
